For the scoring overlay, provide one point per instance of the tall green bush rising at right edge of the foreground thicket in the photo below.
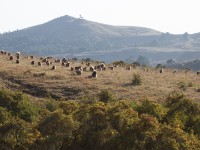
(182, 112)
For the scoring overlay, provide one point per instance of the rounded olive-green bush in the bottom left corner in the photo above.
(17, 134)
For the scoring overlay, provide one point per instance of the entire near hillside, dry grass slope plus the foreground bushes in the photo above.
(124, 109)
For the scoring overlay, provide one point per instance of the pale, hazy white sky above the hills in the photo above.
(174, 16)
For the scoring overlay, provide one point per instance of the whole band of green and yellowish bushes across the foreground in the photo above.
(102, 123)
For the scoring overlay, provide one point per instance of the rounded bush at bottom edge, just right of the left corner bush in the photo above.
(57, 131)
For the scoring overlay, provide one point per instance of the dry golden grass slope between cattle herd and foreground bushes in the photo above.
(62, 83)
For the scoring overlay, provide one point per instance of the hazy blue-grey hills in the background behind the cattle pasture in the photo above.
(74, 37)
